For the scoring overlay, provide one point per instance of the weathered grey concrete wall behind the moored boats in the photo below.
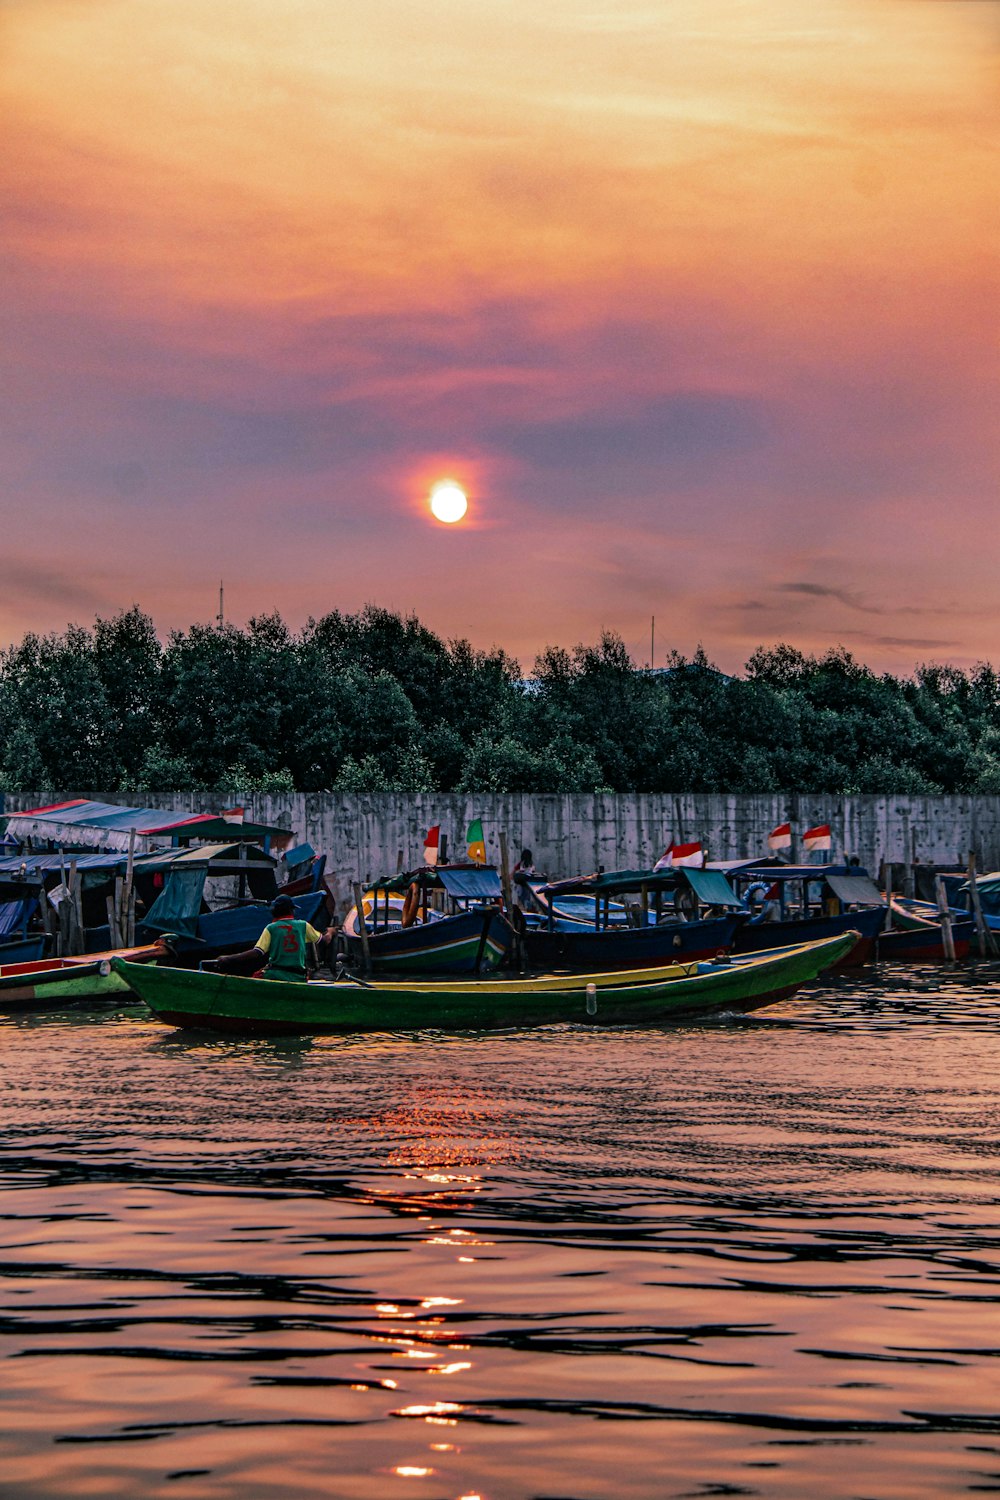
(570, 835)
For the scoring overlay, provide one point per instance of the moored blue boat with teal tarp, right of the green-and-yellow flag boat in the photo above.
(671, 916)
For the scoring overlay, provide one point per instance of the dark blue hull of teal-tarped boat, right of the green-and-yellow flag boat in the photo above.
(584, 950)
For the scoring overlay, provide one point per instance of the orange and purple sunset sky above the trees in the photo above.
(698, 302)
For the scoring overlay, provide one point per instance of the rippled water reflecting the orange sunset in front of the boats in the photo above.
(755, 1258)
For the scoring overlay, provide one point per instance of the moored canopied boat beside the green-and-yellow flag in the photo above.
(407, 935)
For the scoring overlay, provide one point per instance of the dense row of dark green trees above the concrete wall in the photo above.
(379, 703)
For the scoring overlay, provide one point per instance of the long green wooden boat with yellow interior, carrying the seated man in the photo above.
(271, 1007)
